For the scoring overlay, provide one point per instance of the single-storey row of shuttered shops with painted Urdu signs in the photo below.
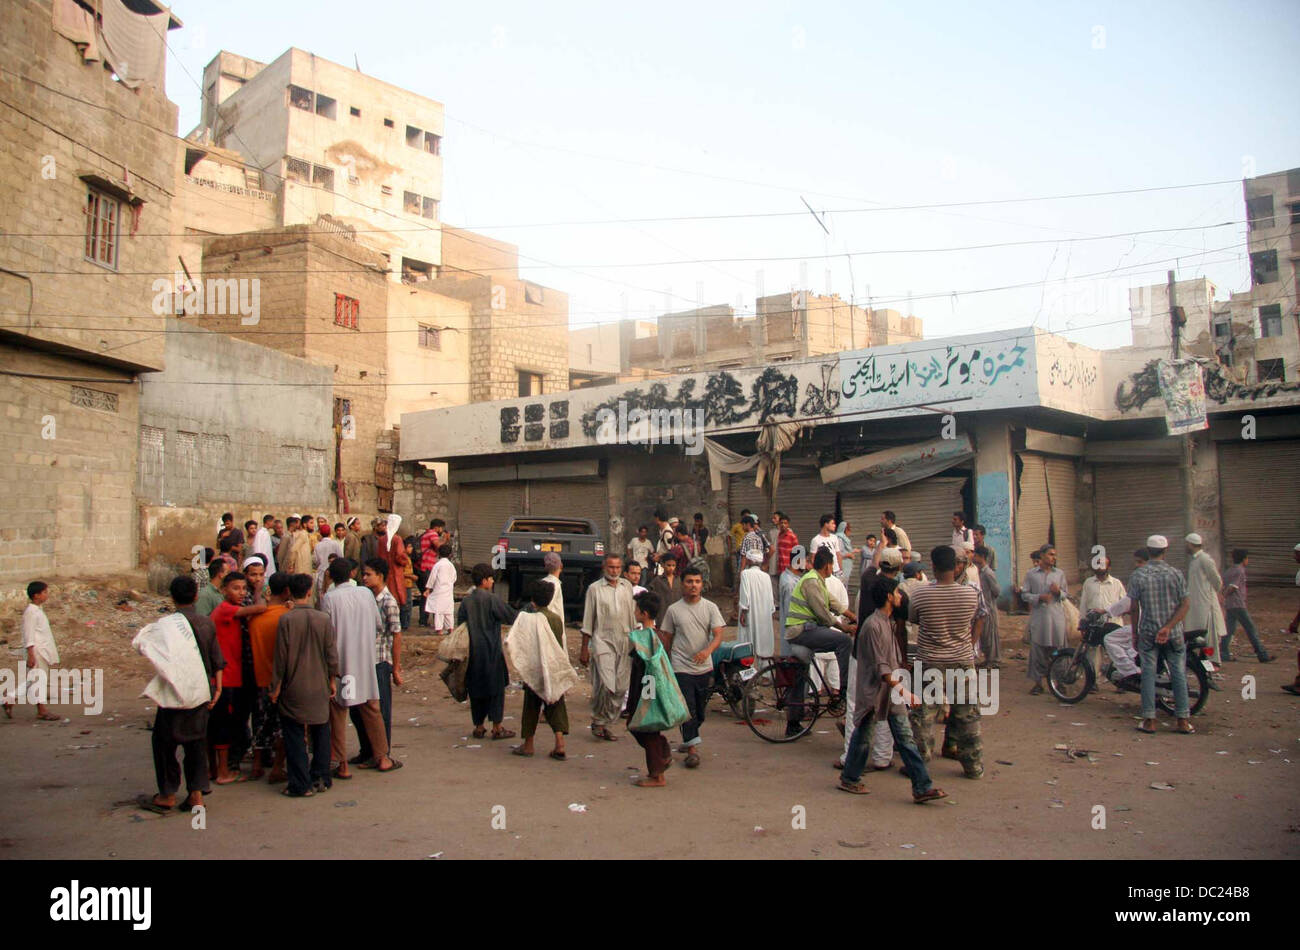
(1041, 440)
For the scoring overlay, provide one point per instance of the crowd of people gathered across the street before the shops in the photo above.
(298, 630)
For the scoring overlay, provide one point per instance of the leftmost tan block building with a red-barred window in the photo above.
(86, 180)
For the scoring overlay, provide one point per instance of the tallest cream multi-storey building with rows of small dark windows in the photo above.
(328, 140)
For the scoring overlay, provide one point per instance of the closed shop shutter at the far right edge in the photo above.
(1259, 487)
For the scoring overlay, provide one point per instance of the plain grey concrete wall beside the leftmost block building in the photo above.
(235, 423)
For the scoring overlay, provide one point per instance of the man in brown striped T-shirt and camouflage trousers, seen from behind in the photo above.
(946, 613)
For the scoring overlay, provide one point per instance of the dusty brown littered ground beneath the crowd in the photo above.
(1236, 783)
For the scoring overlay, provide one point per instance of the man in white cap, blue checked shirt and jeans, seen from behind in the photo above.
(1159, 597)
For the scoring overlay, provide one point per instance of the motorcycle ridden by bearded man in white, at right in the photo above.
(1071, 675)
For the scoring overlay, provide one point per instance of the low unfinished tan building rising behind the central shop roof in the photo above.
(787, 327)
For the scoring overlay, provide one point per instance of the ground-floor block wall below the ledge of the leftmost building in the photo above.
(68, 467)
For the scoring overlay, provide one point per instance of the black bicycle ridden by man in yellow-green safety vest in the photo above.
(772, 705)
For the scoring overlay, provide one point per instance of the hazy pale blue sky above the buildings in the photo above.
(567, 114)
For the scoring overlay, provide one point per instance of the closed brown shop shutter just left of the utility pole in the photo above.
(1134, 502)
